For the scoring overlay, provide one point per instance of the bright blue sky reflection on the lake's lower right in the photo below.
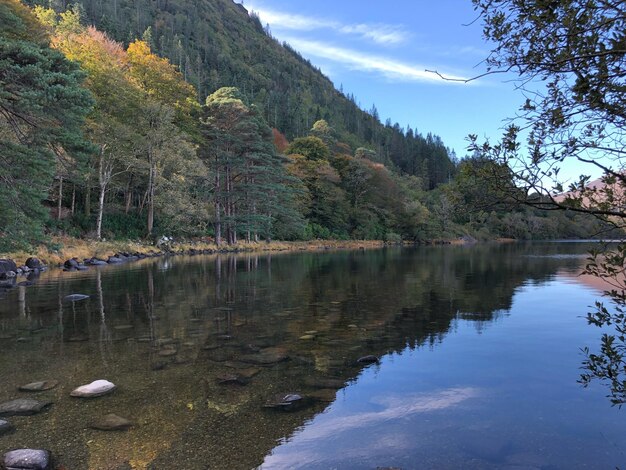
(499, 394)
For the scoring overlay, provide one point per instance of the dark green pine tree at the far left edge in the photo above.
(42, 109)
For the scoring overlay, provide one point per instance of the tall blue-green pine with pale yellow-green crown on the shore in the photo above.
(250, 191)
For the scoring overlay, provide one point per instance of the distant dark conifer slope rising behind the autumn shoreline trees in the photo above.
(217, 43)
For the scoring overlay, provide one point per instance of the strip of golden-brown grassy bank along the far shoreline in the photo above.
(81, 249)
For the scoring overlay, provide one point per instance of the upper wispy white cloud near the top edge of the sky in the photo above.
(382, 34)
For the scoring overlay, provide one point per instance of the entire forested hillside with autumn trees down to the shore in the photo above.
(102, 136)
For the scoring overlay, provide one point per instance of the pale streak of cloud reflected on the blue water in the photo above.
(392, 408)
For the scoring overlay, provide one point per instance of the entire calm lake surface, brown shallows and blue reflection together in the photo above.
(479, 346)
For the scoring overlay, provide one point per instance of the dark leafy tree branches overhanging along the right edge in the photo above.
(569, 57)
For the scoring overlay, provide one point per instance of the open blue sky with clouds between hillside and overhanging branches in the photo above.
(379, 51)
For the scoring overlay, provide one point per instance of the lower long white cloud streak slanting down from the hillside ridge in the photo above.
(389, 68)
